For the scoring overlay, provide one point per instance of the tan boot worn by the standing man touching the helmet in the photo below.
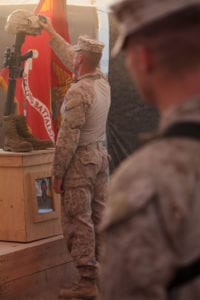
(85, 289)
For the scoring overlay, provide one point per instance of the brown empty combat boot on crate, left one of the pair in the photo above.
(12, 141)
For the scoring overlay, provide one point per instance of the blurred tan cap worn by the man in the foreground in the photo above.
(135, 14)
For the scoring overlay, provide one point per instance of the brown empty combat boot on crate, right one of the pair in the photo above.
(24, 132)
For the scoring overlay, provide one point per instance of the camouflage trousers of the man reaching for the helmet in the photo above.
(83, 203)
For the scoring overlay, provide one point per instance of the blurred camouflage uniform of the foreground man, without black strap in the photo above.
(152, 223)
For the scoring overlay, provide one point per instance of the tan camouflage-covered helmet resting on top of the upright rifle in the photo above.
(22, 20)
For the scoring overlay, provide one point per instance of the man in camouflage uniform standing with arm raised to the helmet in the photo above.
(81, 160)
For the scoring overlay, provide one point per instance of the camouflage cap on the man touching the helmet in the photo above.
(90, 45)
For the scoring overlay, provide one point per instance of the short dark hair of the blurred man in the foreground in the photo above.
(174, 40)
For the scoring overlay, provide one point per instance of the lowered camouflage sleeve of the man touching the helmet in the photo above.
(73, 118)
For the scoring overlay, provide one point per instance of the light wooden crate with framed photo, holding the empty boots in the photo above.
(21, 219)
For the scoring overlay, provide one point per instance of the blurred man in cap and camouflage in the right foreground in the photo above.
(152, 222)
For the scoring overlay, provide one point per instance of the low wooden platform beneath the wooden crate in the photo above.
(35, 271)
